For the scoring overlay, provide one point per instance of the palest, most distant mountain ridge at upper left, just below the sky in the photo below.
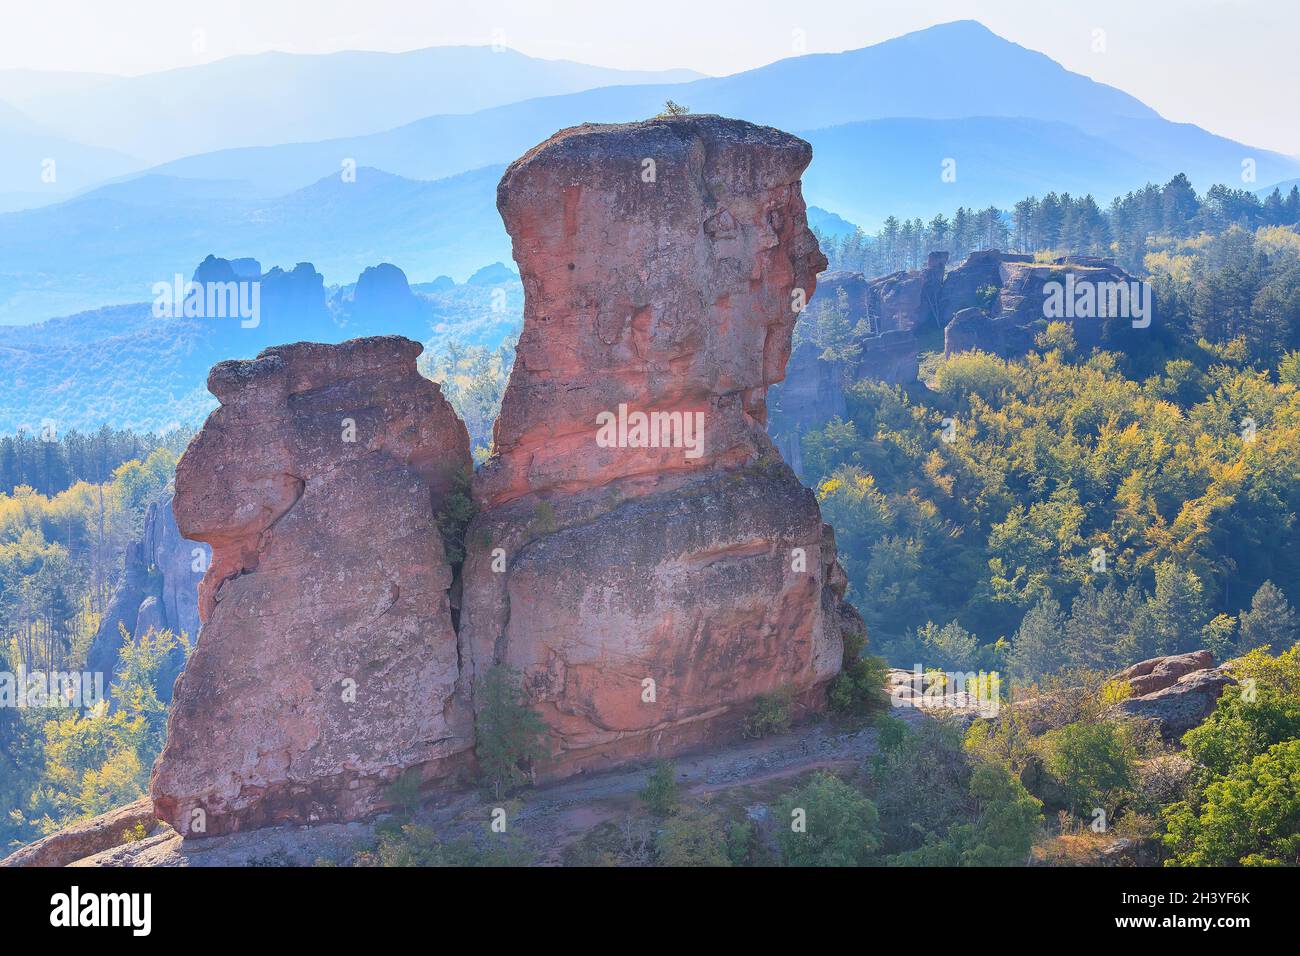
(275, 98)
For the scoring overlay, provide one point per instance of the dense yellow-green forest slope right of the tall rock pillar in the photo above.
(1137, 503)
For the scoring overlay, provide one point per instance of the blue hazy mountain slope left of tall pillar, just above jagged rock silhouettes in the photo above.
(58, 257)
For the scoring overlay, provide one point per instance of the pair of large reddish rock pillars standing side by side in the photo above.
(649, 582)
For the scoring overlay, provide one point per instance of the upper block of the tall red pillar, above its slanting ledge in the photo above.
(658, 263)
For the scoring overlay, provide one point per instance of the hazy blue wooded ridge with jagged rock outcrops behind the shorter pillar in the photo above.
(140, 370)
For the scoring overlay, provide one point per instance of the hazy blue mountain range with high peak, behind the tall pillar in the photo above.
(886, 123)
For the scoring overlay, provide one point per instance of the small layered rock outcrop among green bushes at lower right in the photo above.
(1177, 693)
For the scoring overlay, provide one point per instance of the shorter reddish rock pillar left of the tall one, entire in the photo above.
(317, 483)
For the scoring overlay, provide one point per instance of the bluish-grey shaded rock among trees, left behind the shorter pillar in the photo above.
(158, 592)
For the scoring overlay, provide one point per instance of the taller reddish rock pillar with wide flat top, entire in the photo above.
(648, 595)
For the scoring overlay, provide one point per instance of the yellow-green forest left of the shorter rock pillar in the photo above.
(60, 560)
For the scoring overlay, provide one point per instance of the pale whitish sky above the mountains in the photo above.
(1228, 66)
